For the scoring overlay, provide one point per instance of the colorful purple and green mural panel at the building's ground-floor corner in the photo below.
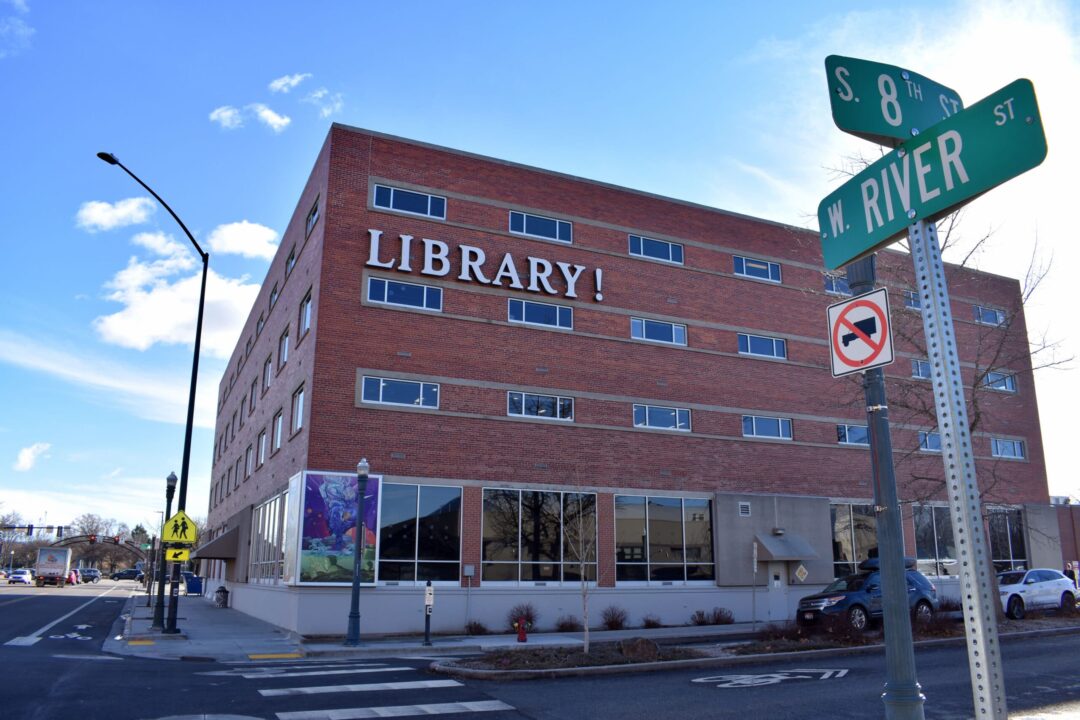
(330, 528)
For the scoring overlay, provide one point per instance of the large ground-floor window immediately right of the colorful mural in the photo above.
(420, 534)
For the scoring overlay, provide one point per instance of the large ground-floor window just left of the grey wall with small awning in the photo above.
(664, 540)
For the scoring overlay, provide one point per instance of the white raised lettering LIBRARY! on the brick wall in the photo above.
(471, 265)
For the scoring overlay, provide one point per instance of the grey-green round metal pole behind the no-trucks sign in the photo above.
(903, 696)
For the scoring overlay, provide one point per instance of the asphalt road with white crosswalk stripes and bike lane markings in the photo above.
(52, 667)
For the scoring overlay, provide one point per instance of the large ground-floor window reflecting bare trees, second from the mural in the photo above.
(536, 537)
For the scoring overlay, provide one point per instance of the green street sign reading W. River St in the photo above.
(931, 175)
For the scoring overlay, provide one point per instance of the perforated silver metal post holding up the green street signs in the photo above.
(980, 606)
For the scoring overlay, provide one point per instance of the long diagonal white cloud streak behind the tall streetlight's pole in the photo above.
(148, 396)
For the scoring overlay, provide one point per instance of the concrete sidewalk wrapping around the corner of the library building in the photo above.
(226, 635)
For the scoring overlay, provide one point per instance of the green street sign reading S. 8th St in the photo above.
(885, 104)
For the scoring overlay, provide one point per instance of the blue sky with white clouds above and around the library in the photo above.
(723, 104)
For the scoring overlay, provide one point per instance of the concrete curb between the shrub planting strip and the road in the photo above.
(449, 668)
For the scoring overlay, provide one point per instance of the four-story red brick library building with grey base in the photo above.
(556, 378)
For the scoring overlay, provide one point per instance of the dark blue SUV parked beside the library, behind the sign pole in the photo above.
(858, 599)
